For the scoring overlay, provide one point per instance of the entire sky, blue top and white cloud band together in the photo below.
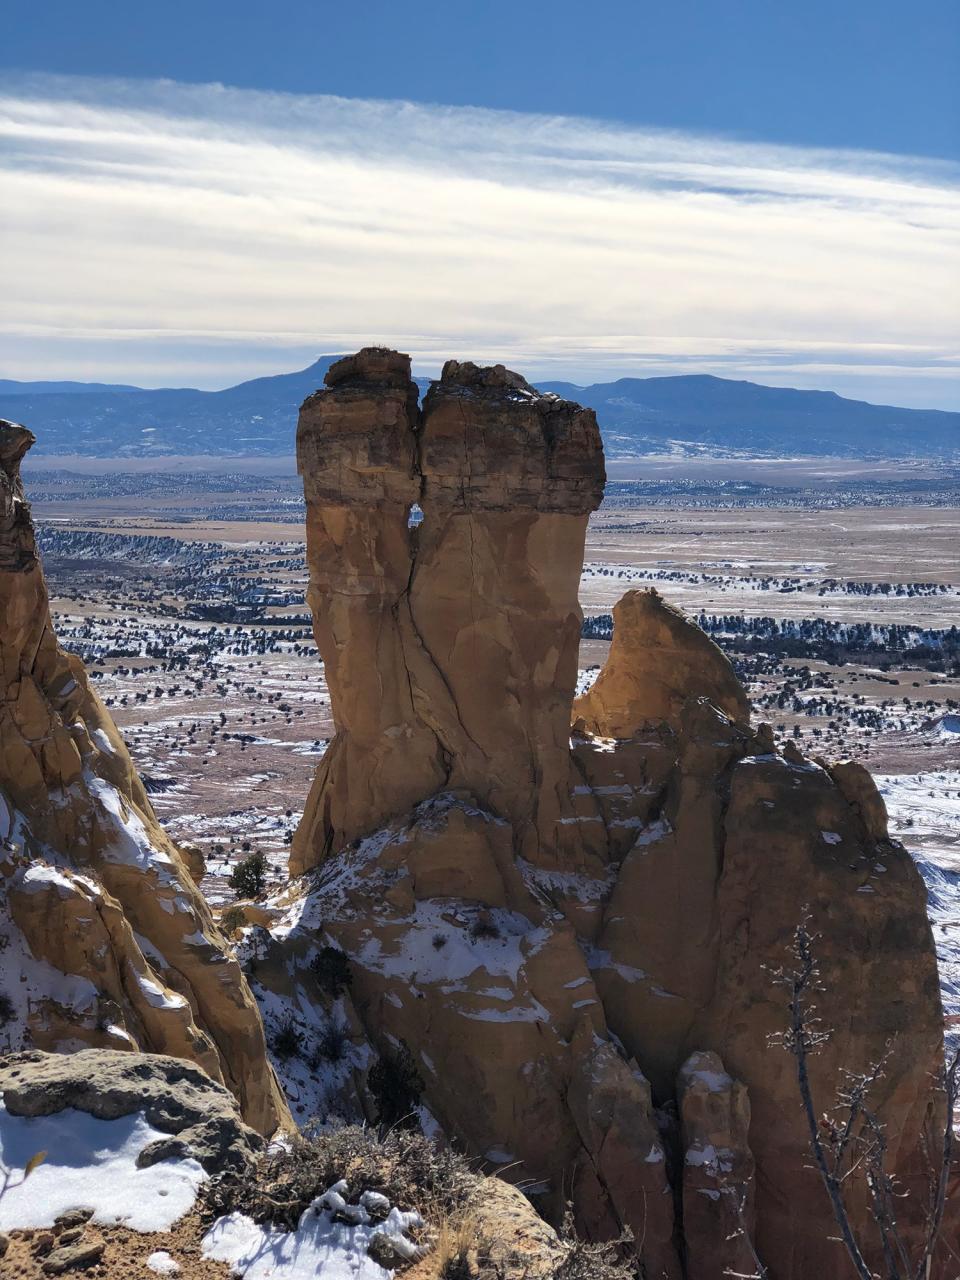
(194, 194)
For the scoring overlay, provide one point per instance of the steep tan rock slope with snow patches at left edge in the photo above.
(108, 944)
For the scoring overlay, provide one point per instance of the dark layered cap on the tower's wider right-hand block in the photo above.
(492, 442)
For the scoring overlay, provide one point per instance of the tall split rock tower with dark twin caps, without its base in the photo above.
(451, 651)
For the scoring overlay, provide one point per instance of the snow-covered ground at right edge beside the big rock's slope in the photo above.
(925, 813)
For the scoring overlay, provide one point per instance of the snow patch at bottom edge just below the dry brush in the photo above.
(331, 1241)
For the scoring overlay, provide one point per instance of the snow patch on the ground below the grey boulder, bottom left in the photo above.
(92, 1164)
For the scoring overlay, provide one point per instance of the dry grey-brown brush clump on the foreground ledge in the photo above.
(403, 1165)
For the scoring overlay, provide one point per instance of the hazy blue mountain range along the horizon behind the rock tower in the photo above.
(685, 415)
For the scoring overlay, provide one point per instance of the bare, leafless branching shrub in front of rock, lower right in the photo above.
(851, 1141)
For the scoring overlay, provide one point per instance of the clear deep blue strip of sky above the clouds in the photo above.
(880, 75)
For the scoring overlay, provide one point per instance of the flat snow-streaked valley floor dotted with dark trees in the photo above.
(834, 589)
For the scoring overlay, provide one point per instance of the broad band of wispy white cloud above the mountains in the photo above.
(159, 232)
